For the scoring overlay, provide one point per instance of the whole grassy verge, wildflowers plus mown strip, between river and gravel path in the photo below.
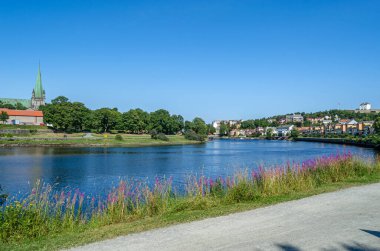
(50, 220)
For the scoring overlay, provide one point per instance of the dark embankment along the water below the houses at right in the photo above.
(341, 141)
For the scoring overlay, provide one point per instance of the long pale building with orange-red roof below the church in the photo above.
(24, 117)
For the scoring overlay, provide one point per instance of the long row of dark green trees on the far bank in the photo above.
(64, 115)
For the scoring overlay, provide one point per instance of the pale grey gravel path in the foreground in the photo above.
(344, 220)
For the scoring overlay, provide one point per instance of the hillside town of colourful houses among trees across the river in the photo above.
(304, 125)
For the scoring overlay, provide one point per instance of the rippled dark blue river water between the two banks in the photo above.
(95, 170)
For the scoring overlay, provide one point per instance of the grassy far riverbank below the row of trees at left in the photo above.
(92, 140)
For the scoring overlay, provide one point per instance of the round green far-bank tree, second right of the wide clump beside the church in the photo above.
(136, 121)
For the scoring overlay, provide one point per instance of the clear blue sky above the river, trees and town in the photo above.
(214, 59)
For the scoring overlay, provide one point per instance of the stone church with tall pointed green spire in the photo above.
(38, 96)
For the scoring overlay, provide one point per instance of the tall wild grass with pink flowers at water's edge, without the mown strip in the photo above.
(45, 211)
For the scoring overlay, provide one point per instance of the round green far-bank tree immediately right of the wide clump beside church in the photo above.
(106, 119)
